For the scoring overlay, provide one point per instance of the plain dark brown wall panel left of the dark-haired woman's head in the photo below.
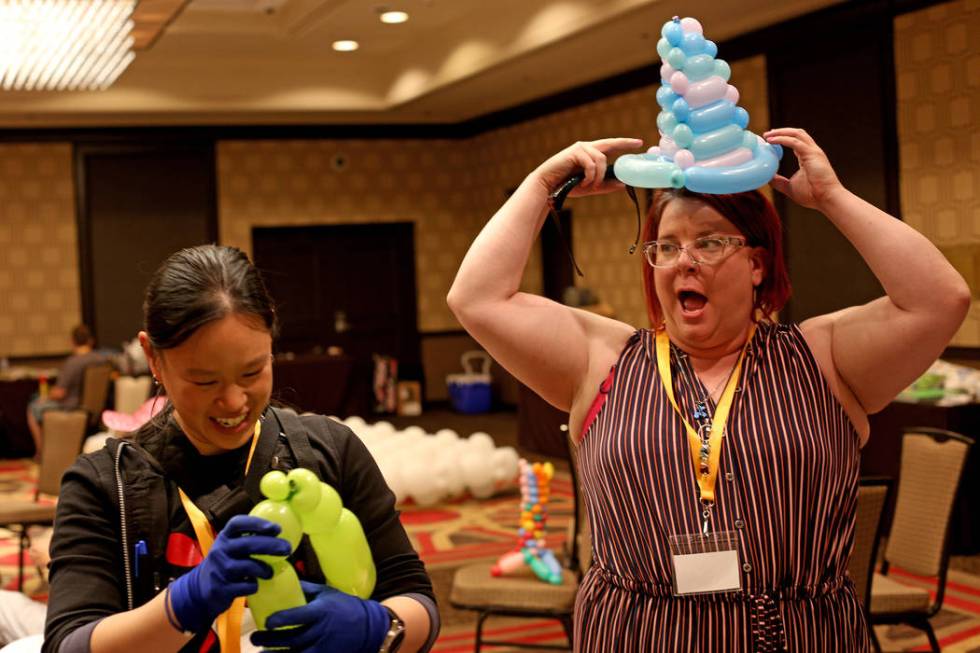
(138, 203)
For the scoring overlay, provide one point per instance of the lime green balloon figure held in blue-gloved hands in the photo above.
(300, 503)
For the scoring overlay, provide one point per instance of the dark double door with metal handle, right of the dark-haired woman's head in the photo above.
(349, 286)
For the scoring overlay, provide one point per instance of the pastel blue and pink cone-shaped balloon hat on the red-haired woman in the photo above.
(704, 144)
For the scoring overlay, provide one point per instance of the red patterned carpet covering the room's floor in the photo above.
(467, 530)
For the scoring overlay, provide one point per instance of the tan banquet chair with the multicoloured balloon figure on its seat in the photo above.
(524, 595)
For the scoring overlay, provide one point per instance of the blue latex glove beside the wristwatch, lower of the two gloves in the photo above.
(333, 622)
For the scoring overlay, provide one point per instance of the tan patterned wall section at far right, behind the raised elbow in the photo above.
(937, 60)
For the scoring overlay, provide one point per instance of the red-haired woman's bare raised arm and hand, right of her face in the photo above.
(879, 348)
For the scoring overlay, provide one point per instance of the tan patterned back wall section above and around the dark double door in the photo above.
(430, 183)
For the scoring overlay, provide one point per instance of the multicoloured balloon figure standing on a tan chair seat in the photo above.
(531, 549)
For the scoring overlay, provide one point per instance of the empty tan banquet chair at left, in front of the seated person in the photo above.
(63, 432)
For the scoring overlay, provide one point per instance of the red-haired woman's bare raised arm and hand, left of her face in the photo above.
(545, 344)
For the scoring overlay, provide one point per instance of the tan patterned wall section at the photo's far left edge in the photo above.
(39, 290)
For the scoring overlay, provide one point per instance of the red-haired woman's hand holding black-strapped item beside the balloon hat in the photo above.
(589, 157)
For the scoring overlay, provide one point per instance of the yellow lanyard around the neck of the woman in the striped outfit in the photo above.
(705, 480)
